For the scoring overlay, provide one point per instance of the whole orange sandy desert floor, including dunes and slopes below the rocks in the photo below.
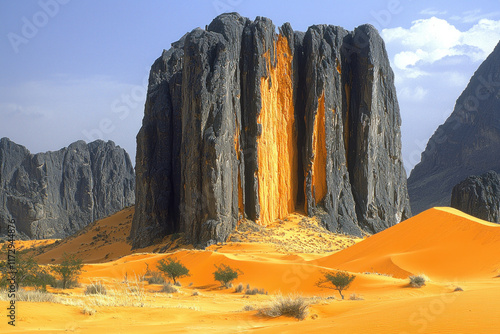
(451, 248)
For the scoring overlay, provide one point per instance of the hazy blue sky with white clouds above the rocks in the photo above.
(74, 69)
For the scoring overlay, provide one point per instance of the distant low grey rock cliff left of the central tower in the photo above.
(54, 194)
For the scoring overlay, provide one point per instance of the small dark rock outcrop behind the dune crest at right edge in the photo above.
(479, 196)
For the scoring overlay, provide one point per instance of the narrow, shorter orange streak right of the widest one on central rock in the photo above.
(319, 149)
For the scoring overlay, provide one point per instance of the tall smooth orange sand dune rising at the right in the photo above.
(442, 243)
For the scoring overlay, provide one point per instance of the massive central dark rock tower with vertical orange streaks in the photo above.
(241, 121)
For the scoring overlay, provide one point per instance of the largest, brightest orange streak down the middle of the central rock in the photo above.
(277, 145)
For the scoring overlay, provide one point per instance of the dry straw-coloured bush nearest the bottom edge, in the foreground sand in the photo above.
(290, 306)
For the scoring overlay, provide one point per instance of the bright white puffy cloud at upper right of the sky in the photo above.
(430, 40)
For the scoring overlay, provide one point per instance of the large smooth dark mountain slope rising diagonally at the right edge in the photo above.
(468, 143)
